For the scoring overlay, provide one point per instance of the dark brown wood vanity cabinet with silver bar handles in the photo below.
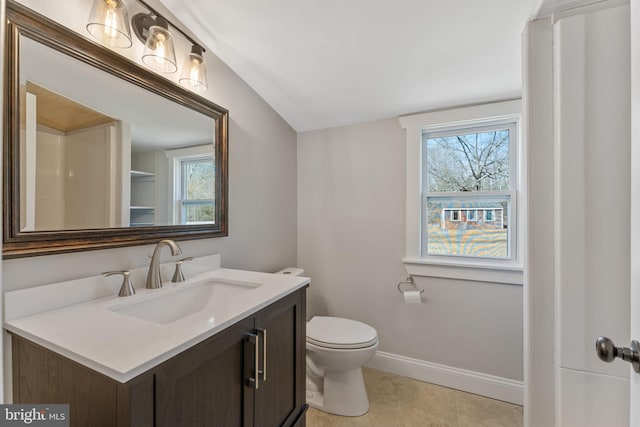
(211, 384)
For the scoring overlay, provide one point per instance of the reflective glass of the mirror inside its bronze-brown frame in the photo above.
(99, 152)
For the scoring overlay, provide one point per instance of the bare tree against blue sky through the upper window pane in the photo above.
(468, 162)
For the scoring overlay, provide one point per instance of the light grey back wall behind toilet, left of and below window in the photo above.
(351, 215)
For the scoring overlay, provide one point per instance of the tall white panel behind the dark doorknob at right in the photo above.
(592, 187)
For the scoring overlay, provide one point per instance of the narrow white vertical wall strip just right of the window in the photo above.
(537, 104)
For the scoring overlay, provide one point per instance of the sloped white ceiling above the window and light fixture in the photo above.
(327, 63)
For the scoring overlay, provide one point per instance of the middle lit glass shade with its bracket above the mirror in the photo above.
(159, 53)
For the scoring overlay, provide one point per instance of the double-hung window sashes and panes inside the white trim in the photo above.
(467, 168)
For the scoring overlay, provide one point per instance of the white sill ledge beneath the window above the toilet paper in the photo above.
(507, 273)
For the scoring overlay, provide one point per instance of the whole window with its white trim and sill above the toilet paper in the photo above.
(463, 179)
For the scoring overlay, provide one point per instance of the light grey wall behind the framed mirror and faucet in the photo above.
(262, 187)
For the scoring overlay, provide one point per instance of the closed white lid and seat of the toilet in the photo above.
(336, 332)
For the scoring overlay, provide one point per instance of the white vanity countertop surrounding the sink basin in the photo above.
(121, 346)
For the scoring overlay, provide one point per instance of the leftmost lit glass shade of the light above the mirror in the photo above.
(109, 23)
